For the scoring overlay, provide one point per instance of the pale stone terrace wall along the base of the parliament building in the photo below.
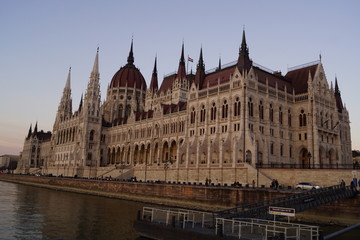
(245, 174)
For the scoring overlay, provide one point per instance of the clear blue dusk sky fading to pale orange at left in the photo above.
(40, 40)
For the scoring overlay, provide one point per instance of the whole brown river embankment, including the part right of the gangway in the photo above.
(196, 197)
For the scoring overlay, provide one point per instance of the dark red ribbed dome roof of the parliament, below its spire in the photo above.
(128, 75)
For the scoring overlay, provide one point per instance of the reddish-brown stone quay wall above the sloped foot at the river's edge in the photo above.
(226, 196)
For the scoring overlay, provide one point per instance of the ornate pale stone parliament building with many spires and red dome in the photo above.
(217, 124)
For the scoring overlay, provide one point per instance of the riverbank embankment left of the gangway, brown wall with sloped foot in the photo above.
(197, 197)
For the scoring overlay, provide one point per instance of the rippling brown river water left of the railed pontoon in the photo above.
(37, 213)
